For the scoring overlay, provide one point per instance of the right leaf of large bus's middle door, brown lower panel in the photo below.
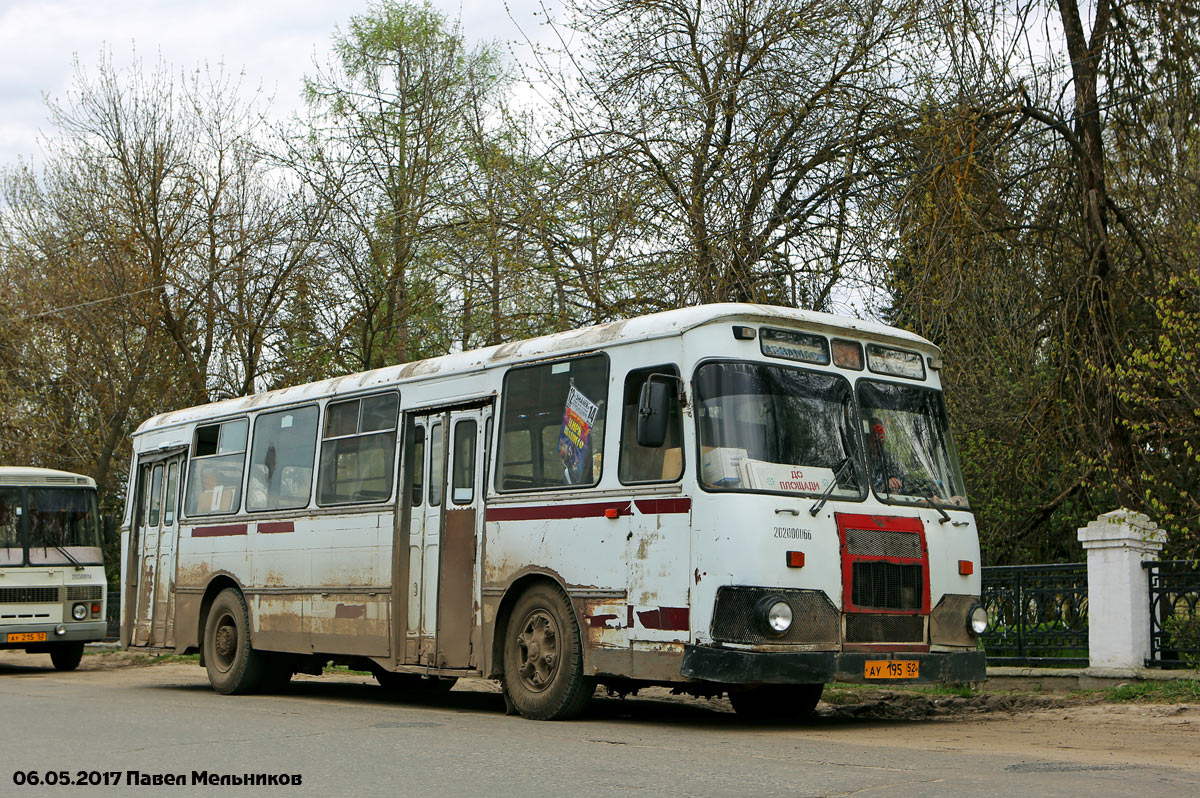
(455, 611)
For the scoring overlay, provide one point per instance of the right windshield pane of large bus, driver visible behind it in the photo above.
(911, 455)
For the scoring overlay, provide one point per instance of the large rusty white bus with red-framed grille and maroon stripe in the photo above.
(730, 499)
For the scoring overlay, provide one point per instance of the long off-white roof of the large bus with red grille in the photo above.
(643, 328)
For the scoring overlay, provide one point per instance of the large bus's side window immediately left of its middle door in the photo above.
(358, 451)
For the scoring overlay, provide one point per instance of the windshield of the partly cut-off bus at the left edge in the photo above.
(45, 519)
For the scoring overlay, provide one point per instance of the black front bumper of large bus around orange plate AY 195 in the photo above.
(737, 667)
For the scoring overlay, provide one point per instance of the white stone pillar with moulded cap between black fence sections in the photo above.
(1119, 591)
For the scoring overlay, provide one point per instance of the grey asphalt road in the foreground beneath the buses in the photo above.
(345, 737)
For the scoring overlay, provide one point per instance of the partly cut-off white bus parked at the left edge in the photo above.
(52, 569)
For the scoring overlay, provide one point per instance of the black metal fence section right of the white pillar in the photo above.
(1174, 617)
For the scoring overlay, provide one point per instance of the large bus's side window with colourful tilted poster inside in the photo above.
(553, 423)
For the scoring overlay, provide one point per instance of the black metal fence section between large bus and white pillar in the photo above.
(1037, 615)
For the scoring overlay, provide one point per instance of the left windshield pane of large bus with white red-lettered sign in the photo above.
(777, 429)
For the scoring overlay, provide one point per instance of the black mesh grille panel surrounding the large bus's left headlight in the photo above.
(817, 621)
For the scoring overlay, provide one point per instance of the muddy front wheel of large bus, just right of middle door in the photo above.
(544, 657)
